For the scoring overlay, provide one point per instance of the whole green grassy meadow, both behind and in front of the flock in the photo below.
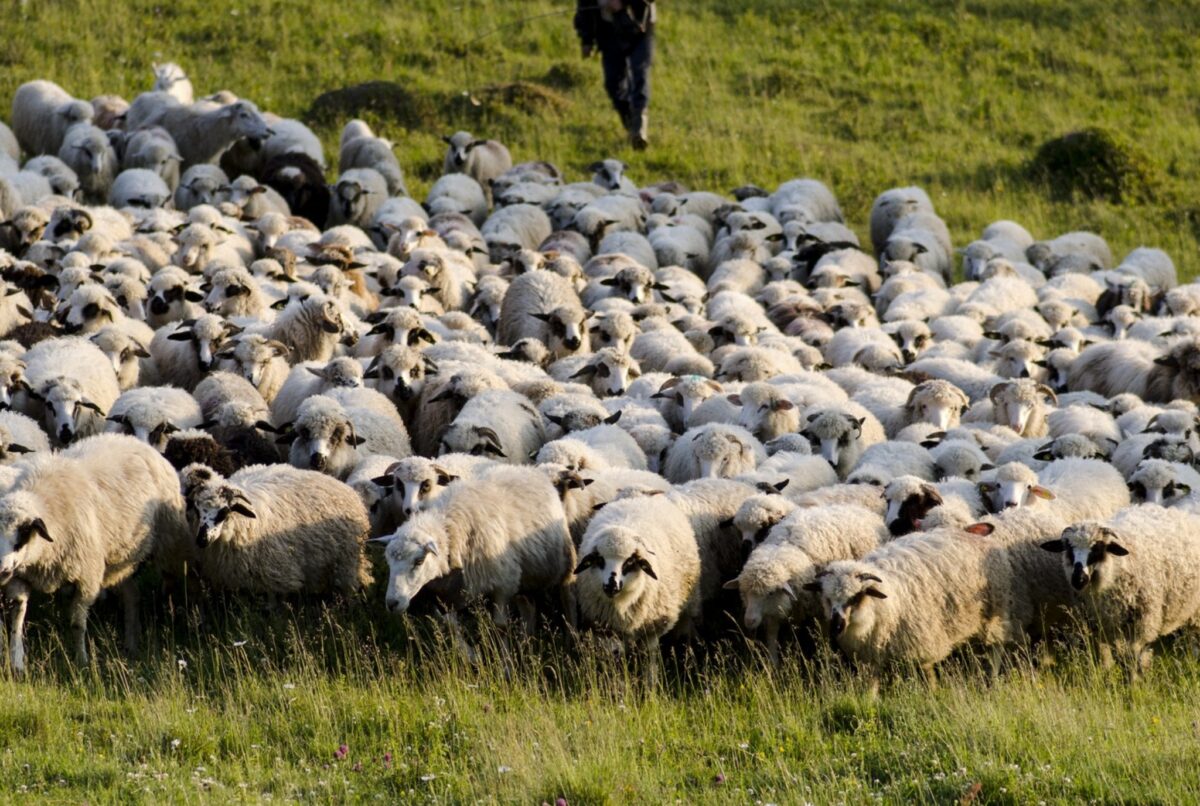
(346, 705)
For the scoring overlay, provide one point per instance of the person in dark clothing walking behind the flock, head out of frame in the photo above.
(623, 32)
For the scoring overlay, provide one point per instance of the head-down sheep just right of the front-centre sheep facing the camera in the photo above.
(773, 581)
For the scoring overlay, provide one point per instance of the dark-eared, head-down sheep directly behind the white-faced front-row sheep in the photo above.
(497, 423)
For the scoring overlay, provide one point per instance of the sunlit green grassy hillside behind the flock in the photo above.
(865, 94)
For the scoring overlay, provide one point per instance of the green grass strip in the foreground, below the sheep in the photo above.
(205, 718)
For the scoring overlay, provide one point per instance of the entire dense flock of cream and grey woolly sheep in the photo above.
(640, 410)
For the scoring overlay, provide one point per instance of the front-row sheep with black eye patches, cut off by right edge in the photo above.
(1132, 603)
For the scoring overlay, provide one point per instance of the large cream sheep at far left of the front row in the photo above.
(86, 518)
